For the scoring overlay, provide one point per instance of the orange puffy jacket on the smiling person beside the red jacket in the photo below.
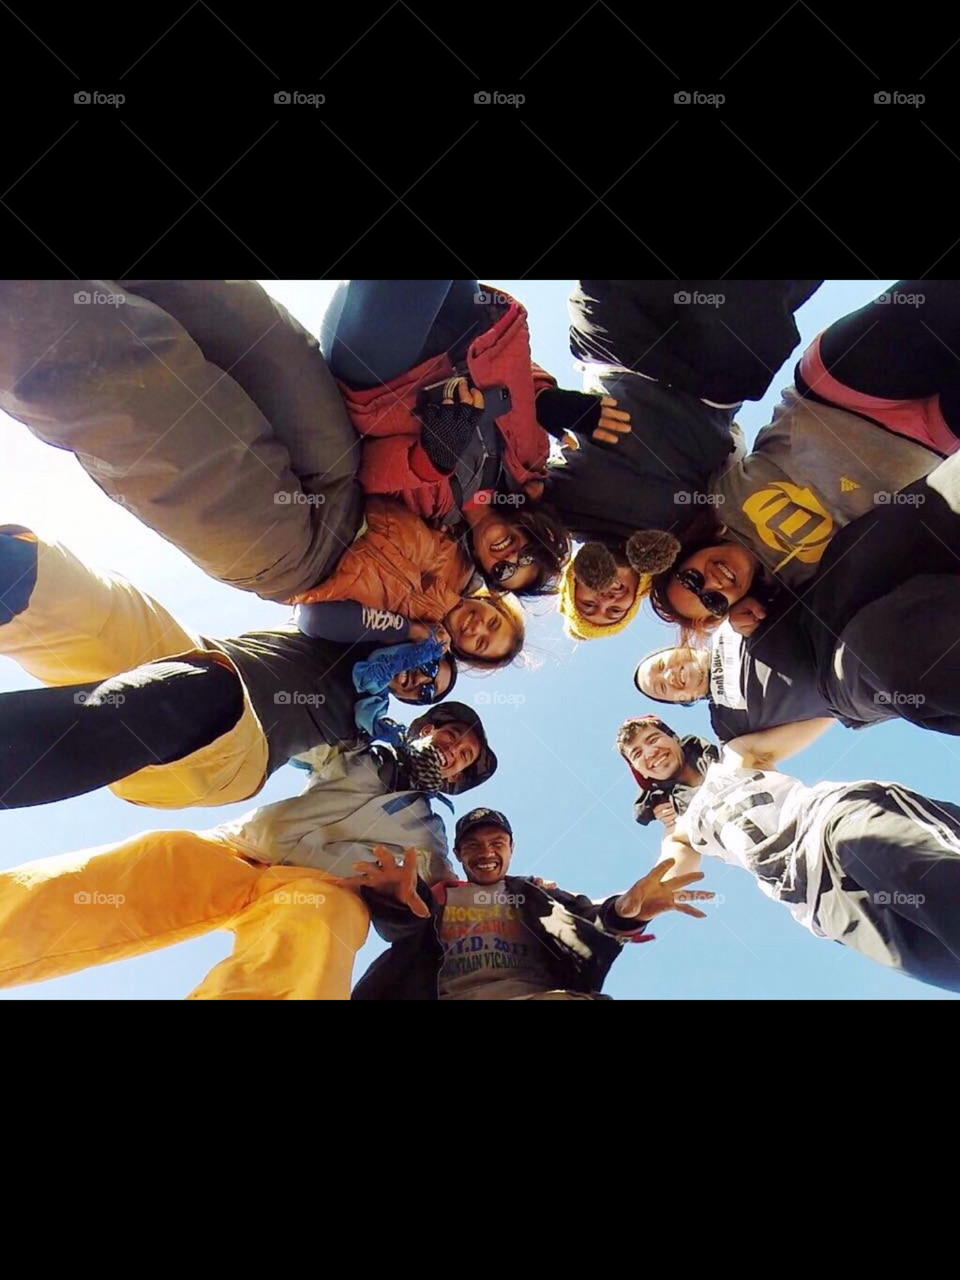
(399, 564)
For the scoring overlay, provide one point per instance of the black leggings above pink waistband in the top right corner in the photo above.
(902, 350)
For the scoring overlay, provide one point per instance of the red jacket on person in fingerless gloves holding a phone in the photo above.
(395, 460)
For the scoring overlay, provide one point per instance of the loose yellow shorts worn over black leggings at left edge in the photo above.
(84, 625)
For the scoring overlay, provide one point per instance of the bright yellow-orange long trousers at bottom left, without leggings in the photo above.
(296, 932)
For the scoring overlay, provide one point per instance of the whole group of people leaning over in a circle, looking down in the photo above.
(408, 483)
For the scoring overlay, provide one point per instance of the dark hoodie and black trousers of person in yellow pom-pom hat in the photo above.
(687, 353)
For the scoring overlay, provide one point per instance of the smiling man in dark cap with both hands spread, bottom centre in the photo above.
(497, 936)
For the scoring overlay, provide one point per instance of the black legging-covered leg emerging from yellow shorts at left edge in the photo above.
(61, 743)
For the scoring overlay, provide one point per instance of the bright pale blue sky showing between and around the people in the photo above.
(552, 724)
